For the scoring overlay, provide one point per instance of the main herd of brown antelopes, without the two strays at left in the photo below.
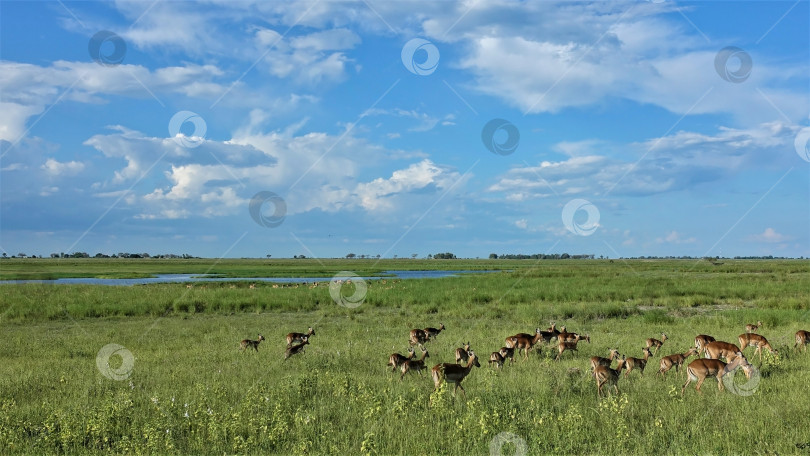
(707, 348)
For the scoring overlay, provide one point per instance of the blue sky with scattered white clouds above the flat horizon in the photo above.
(642, 128)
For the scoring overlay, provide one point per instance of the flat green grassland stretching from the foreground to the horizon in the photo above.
(187, 388)
